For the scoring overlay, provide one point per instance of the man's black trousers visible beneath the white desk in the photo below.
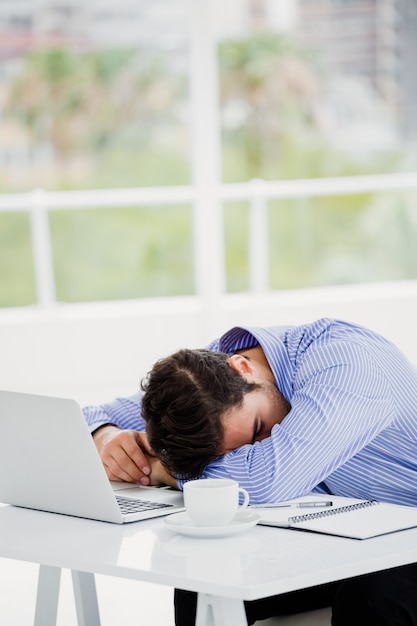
(387, 598)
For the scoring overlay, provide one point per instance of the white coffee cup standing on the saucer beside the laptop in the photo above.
(213, 501)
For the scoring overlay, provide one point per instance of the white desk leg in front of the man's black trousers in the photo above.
(216, 611)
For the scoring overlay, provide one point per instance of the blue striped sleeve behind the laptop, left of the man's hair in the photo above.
(122, 412)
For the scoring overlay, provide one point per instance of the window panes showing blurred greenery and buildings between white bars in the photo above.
(96, 96)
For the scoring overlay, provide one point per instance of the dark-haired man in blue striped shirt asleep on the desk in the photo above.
(328, 407)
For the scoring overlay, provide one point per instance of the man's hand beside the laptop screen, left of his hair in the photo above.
(125, 454)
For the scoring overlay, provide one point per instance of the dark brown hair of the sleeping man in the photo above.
(186, 395)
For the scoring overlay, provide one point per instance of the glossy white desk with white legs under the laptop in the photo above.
(225, 571)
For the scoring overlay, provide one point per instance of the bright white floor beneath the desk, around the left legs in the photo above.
(121, 602)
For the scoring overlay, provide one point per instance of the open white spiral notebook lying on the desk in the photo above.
(356, 519)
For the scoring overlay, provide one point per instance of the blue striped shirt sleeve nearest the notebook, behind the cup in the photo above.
(340, 402)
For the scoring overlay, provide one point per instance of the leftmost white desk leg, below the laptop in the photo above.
(47, 596)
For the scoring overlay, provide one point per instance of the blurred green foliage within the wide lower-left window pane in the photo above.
(117, 253)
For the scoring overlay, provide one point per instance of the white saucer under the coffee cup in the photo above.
(181, 523)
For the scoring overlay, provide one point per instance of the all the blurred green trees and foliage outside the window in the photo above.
(117, 119)
